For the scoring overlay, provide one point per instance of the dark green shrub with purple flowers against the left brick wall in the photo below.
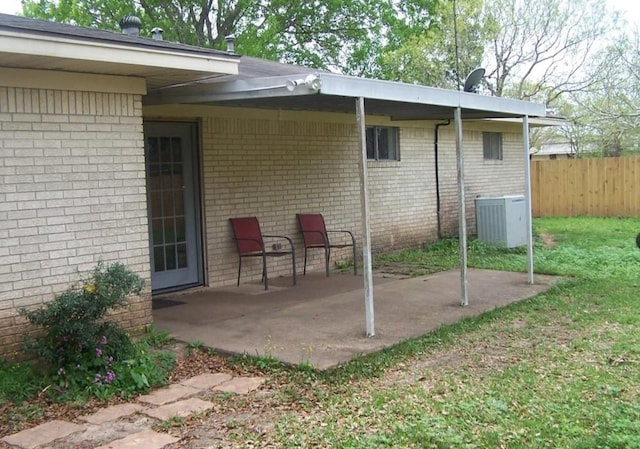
(79, 347)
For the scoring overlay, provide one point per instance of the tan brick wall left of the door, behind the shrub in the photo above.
(72, 192)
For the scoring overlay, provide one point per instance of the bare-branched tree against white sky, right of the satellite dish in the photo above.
(542, 46)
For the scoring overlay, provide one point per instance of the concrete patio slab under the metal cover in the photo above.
(321, 321)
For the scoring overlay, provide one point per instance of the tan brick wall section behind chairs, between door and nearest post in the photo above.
(274, 169)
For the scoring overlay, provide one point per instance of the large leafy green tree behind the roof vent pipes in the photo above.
(331, 34)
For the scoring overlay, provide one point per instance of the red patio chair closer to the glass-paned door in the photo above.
(250, 243)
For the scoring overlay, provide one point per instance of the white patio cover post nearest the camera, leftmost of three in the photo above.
(364, 215)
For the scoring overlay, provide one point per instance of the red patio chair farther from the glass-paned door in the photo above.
(316, 235)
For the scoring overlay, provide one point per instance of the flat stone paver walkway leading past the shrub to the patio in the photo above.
(130, 425)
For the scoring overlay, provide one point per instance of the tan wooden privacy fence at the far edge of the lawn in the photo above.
(603, 187)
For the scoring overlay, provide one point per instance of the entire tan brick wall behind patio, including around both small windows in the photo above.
(274, 164)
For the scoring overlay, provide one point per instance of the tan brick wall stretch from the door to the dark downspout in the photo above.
(274, 169)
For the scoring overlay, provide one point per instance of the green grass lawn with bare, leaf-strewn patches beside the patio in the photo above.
(561, 370)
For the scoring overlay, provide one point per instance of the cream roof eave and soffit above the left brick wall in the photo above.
(36, 44)
